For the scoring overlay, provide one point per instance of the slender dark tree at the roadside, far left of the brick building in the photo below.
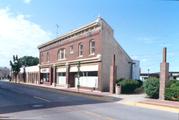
(15, 66)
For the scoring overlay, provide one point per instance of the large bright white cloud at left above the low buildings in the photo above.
(18, 35)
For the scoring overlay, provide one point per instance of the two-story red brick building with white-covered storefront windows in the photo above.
(88, 49)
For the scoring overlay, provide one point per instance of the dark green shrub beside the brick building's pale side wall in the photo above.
(128, 86)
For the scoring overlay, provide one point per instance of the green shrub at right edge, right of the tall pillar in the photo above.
(172, 93)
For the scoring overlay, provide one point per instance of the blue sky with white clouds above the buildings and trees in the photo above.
(142, 27)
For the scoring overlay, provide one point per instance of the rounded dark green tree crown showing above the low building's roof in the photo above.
(29, 61)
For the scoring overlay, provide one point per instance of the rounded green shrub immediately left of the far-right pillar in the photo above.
(151, 87)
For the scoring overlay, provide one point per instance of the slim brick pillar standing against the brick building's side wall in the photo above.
(113, 72)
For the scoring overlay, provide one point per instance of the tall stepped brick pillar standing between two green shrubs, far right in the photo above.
(164, 75)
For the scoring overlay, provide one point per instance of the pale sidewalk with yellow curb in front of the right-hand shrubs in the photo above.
(141, 101)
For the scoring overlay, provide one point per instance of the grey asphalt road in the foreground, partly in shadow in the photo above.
(29, 102)
